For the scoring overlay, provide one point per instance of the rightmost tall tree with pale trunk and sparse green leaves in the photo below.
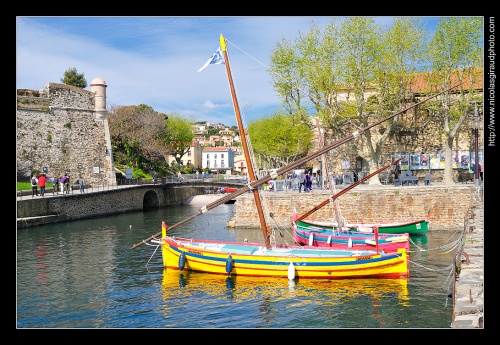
(456, 53)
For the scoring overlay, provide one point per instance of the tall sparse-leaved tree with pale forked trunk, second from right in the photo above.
(395, 54)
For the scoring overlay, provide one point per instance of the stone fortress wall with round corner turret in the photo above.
(64, 129)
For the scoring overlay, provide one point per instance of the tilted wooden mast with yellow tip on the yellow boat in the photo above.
(243, 136)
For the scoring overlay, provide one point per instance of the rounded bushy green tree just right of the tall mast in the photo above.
(279, 140)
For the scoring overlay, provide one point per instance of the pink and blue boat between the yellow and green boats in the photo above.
(323, 237)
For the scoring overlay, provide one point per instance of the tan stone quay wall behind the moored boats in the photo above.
(448, 205)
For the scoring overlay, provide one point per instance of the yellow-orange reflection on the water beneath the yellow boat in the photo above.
(177, 284)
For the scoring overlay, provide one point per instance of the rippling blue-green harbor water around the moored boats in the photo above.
(85, 274)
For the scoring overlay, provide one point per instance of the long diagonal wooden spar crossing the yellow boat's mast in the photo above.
(253, 184)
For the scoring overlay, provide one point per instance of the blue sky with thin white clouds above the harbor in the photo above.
(153, 60)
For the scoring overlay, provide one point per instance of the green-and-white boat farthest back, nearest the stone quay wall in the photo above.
(417, 227)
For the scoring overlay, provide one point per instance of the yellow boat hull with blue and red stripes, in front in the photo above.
(292, 262)
